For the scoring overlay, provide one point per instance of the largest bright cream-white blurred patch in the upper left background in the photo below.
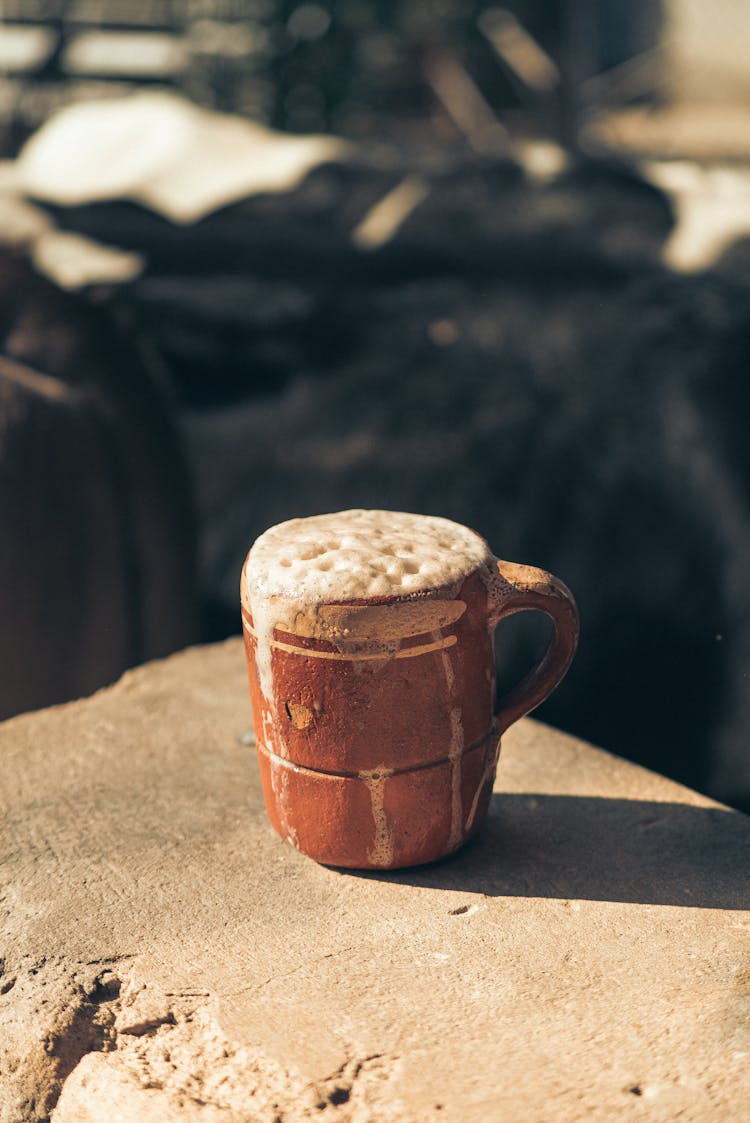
(158, 149)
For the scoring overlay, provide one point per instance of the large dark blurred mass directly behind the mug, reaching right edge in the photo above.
(515, 357)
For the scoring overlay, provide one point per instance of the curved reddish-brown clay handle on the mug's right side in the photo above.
(523, 588)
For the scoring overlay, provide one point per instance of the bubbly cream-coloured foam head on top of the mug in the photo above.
(353, 555)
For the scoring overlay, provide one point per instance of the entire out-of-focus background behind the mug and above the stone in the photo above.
(268, 259)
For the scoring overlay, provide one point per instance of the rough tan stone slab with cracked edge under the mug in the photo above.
(167, 957)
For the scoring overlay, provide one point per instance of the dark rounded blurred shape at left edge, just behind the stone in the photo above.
(97, 543)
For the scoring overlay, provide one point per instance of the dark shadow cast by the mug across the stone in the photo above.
(599, 850)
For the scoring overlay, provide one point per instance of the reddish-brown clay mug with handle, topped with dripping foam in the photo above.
(378, 734)
